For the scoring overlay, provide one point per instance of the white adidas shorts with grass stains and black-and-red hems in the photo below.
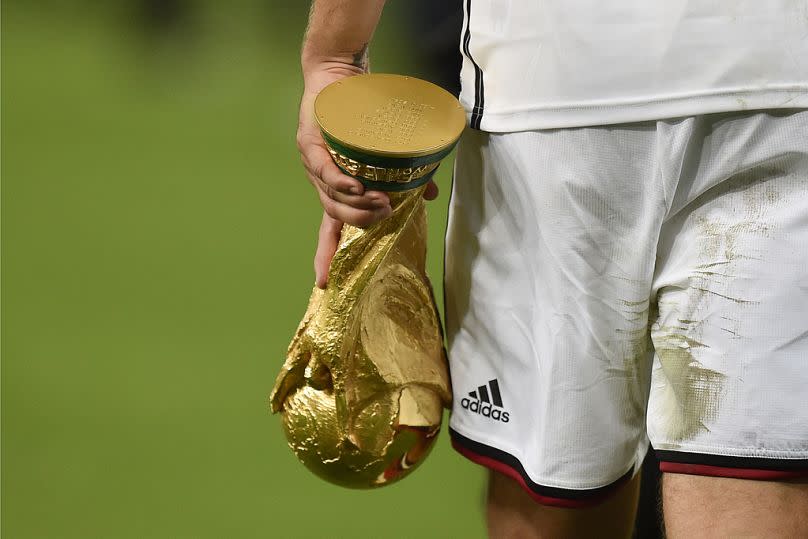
(610, 285)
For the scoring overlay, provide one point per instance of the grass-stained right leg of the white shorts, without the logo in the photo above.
(728, 393)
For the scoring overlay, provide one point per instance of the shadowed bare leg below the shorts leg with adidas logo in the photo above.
(513, 514)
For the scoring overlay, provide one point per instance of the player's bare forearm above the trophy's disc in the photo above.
(339, 32)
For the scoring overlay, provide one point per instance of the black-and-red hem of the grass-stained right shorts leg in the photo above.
(756, 468)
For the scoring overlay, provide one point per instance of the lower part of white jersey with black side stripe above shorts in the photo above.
(540, 64)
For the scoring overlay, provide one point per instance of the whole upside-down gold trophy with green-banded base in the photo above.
(362, 391)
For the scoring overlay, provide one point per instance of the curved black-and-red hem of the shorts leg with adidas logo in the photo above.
(506, 464)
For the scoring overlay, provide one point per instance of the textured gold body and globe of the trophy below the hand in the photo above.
(365, 381)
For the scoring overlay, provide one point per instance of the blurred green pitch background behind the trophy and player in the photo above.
(157, 235)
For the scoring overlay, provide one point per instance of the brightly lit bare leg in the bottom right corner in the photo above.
(698, 506)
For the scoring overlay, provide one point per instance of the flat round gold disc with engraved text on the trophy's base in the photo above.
(387, 115)
